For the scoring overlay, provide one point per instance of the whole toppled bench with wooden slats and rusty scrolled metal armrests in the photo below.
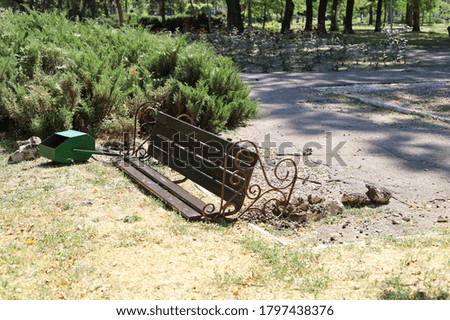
(221, 166)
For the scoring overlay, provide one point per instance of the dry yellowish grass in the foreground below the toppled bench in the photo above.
(86, 232)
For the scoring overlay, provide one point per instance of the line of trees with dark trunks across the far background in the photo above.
(322, 15)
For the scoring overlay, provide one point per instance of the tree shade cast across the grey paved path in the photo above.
(415, 144)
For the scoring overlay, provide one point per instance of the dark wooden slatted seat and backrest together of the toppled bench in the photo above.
(220, 166)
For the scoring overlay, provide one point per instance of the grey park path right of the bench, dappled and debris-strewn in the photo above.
(407, 154)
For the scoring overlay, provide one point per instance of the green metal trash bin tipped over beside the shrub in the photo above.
(60, 147)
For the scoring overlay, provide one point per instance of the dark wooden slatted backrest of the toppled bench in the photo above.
(220, 166)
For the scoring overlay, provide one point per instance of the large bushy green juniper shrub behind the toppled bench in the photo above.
(56, 74)
